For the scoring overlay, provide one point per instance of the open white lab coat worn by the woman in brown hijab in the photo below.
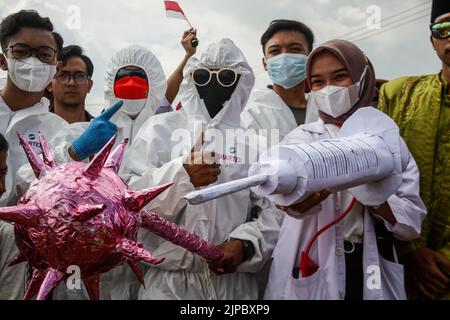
(329, 281)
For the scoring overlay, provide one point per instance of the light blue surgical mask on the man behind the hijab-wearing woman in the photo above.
(287, 69)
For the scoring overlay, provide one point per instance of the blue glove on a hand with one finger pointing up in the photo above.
(97, 135)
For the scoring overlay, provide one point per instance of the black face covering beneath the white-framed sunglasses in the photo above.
(215, 95)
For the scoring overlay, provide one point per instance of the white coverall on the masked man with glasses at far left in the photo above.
(29, 121)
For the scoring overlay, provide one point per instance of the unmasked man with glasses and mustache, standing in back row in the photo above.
(71, 85)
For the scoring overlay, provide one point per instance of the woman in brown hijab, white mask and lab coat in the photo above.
(355, 256)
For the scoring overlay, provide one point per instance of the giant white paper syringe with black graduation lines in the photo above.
(368, 158)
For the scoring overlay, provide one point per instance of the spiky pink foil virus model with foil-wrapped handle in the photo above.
(84, 215)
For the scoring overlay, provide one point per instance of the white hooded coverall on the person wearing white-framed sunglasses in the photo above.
(152, 161)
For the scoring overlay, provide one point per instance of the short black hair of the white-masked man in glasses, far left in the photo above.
(13, 23)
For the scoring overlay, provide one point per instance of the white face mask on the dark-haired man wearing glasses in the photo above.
(30, 74)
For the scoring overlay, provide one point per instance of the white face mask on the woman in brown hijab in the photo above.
(337, 101)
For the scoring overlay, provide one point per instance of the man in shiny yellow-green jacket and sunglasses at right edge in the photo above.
(421, 107)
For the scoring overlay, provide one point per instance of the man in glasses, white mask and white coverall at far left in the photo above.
(29, 55)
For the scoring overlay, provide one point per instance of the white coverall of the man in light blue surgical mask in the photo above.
(267, 111)
